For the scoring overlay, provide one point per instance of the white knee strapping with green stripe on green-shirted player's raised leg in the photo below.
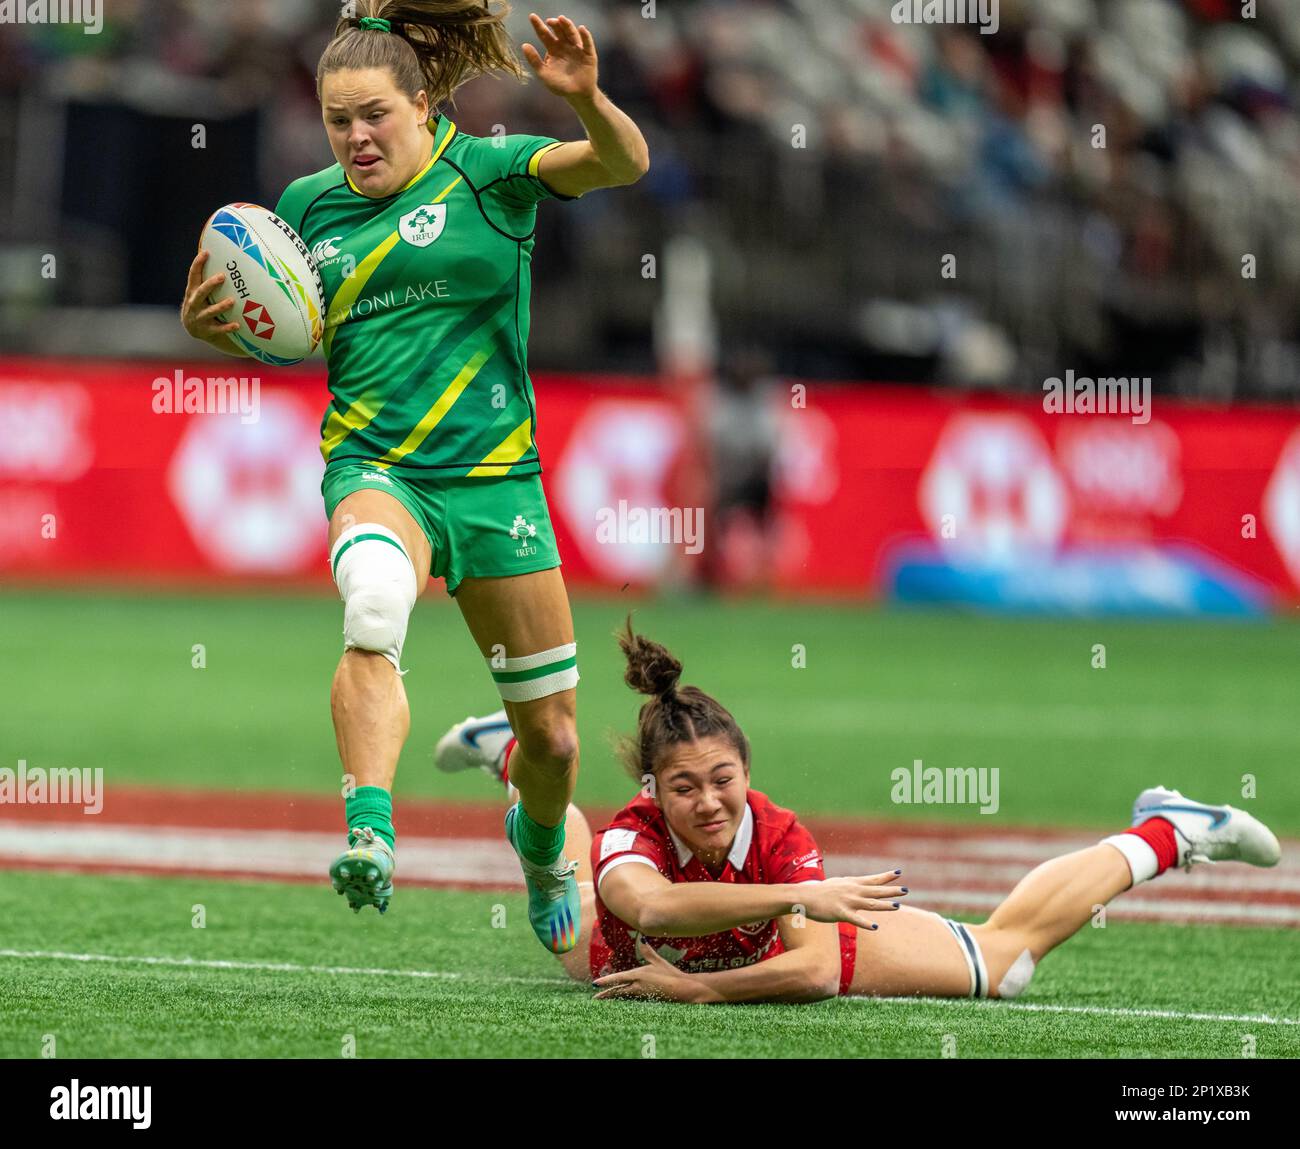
(378, 586)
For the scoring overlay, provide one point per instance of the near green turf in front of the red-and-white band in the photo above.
(493, 992)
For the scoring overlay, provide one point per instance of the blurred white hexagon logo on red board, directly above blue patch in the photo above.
(991, 491)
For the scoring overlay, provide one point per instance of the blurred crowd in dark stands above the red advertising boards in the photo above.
(1111, 187)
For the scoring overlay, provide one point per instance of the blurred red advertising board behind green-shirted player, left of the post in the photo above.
(105, 474)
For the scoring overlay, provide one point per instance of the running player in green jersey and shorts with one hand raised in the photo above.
(424, 236)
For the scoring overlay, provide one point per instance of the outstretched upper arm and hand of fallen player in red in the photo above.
(652, 905)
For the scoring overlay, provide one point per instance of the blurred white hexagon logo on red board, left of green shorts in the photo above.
(250, 493)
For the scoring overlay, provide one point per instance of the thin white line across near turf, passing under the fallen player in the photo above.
(449, 975)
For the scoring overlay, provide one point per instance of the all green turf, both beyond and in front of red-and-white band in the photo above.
(106, 680)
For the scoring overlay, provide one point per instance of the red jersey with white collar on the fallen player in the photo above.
(770, 848)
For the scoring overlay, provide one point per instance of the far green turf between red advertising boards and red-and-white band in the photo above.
(107, 682)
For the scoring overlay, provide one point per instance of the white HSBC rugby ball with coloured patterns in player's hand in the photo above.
(274, 279)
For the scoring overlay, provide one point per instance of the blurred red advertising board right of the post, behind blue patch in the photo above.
(866, 470)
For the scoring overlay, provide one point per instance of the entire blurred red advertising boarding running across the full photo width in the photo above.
(98, 479)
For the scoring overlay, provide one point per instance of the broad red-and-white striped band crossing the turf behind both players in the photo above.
(450, 846)
